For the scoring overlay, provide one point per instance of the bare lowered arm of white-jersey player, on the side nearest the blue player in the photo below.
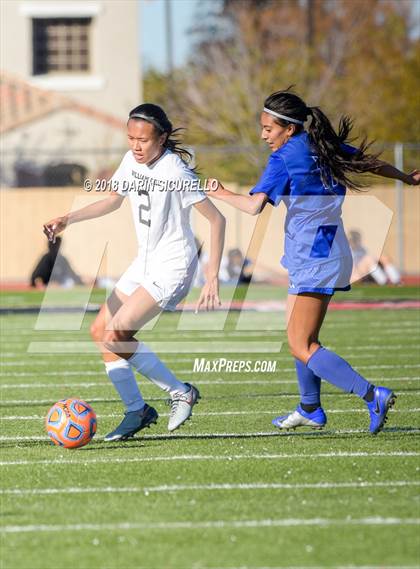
(210, 291)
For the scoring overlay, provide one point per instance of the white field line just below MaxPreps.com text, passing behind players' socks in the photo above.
(217, 381)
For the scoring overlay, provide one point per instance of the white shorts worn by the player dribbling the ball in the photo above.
(168, 285)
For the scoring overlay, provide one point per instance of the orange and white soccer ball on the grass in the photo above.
(71, 423)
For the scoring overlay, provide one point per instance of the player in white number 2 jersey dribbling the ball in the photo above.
(155, 176)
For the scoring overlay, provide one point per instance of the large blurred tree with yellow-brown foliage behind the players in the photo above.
(356, 57)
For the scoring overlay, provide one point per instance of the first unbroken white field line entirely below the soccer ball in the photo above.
(198, 457)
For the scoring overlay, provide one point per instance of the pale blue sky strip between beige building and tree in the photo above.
(152, 31)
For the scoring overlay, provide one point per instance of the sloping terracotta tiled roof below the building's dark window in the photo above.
(22, 103)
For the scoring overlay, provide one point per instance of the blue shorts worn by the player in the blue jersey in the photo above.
(323, 278)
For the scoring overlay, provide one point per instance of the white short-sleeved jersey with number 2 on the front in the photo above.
(161, 196)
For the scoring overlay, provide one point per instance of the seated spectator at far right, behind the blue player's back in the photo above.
(366, 267)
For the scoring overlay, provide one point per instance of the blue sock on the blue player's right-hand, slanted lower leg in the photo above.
(337, 371)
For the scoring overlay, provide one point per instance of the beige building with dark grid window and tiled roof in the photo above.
(67, 84)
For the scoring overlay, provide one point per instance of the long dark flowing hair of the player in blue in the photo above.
(326, 142)
